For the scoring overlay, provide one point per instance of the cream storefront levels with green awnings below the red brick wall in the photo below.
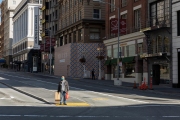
(131, 66)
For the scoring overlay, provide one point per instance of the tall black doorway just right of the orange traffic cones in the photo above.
(156, 74)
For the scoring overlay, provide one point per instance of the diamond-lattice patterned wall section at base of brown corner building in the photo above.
(89, 50)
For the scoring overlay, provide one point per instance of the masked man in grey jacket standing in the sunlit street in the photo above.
(63, 88)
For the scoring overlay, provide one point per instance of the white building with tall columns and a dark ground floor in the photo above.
(25, 56)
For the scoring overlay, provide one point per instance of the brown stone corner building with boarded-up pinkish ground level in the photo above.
(81, 31)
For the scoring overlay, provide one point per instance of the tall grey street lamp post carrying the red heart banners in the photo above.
(118, 82)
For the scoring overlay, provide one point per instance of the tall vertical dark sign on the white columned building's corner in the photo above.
(36, 28)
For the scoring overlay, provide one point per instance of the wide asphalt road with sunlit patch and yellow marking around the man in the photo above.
(87, 101)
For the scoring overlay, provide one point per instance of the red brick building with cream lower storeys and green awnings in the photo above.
(132, 43)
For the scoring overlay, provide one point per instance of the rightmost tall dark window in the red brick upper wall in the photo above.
(137, 18)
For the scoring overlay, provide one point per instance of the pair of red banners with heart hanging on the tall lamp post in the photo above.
(114, 26)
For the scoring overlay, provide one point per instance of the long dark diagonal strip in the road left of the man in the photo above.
(28, 94)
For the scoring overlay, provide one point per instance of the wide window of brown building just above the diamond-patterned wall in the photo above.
(94, 34)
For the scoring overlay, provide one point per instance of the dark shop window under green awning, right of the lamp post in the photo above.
(130, 70)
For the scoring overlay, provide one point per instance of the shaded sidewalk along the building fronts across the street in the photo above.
(157, 89)
